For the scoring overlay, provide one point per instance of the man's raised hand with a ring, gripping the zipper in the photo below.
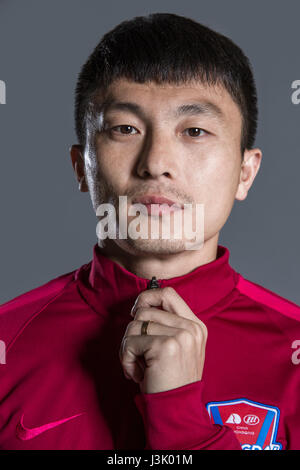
(173, 351)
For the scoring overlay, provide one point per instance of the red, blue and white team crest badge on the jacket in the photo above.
(254, 424)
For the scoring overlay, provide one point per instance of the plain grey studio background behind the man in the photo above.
(47, 226)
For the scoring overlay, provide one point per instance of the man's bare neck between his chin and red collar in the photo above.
(161, 266)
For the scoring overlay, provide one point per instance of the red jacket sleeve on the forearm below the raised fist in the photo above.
(177, 419)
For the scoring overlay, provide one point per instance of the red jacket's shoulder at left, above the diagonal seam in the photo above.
(17, 312)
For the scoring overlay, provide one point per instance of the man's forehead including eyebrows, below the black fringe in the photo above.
(170, 100)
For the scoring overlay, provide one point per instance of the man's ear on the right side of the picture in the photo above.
(249, 169)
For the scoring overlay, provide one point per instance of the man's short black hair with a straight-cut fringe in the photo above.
(168, 48)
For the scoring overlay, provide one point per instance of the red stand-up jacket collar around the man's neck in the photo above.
(109, 288)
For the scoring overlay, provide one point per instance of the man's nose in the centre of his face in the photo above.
(158, 156)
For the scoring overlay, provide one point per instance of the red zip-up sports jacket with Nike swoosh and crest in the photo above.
(62, 385)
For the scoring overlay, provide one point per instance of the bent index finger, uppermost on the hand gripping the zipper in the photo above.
(168, 299)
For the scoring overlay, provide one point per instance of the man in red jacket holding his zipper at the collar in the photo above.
(156, 343)
